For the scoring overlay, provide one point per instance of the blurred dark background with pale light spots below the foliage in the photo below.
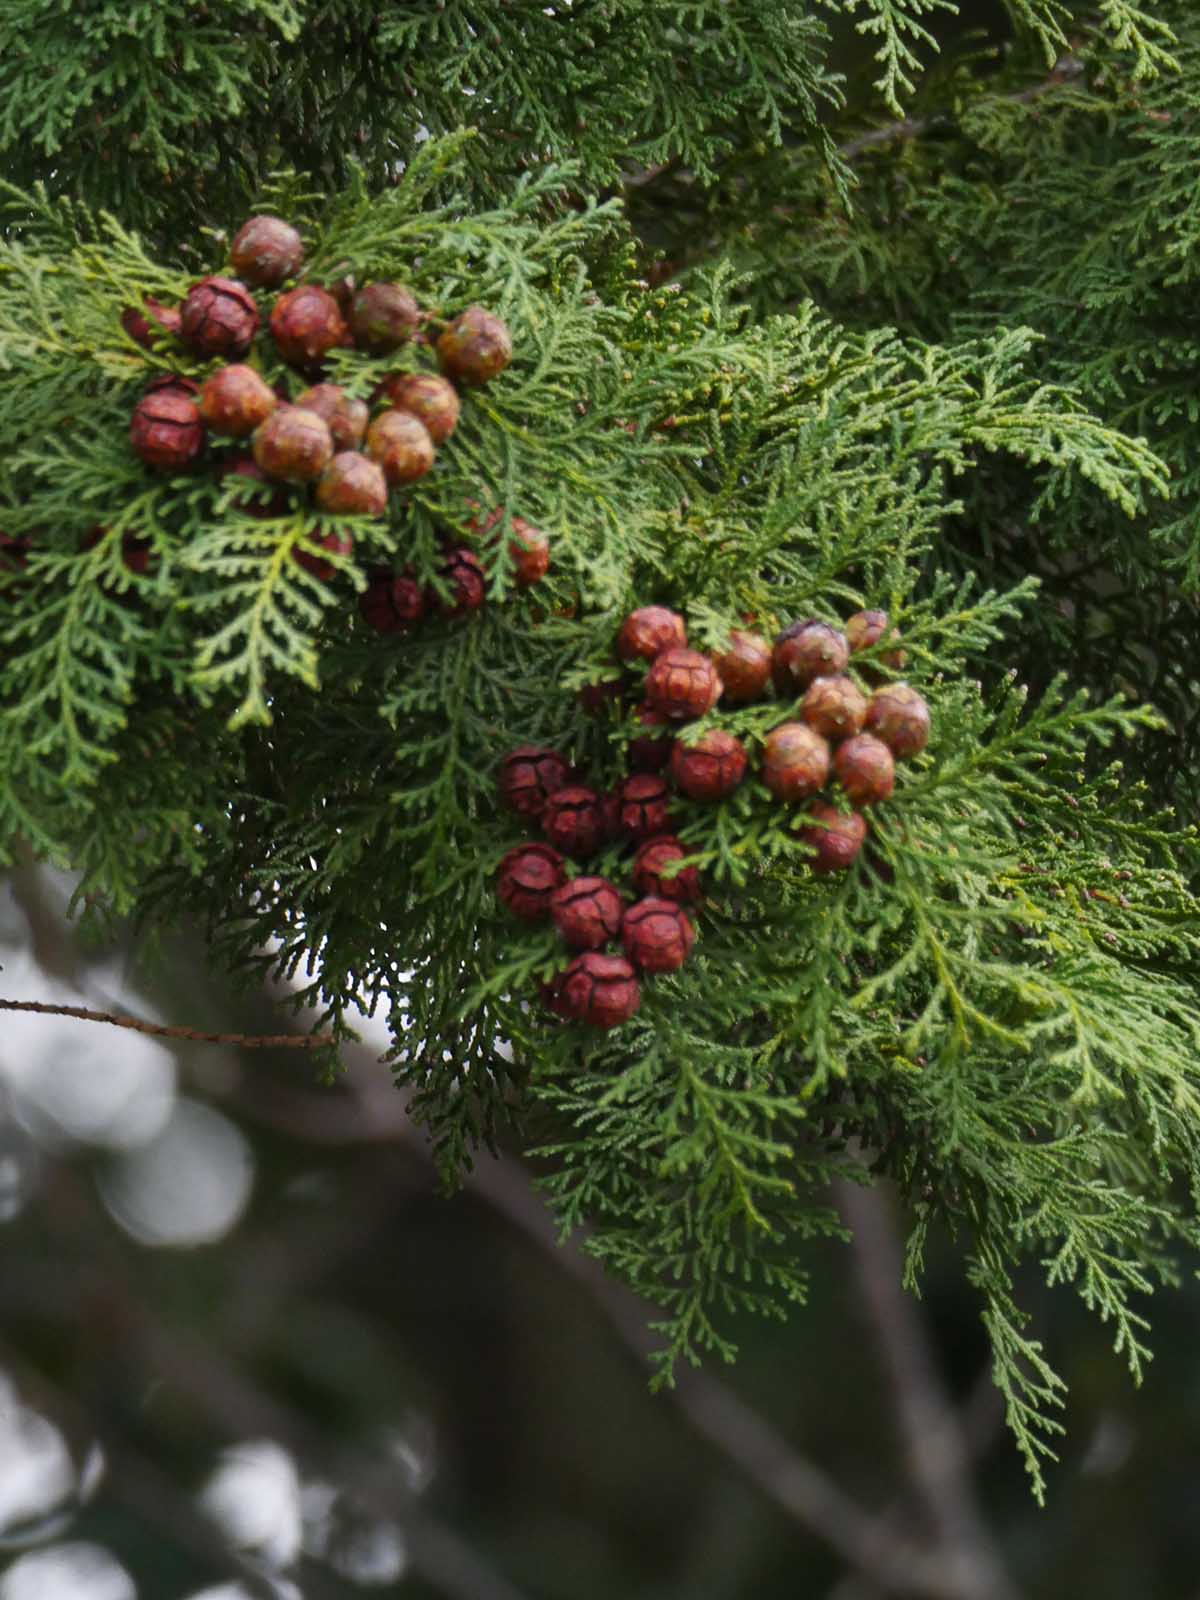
(249, 1350)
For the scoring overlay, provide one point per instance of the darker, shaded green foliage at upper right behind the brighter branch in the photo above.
(1066, 204)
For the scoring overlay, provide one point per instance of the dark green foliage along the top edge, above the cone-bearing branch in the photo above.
(172, 113)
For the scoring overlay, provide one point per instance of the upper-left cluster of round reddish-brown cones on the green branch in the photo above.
(322, 438)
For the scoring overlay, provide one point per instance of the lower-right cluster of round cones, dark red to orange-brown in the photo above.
(839, 732)
